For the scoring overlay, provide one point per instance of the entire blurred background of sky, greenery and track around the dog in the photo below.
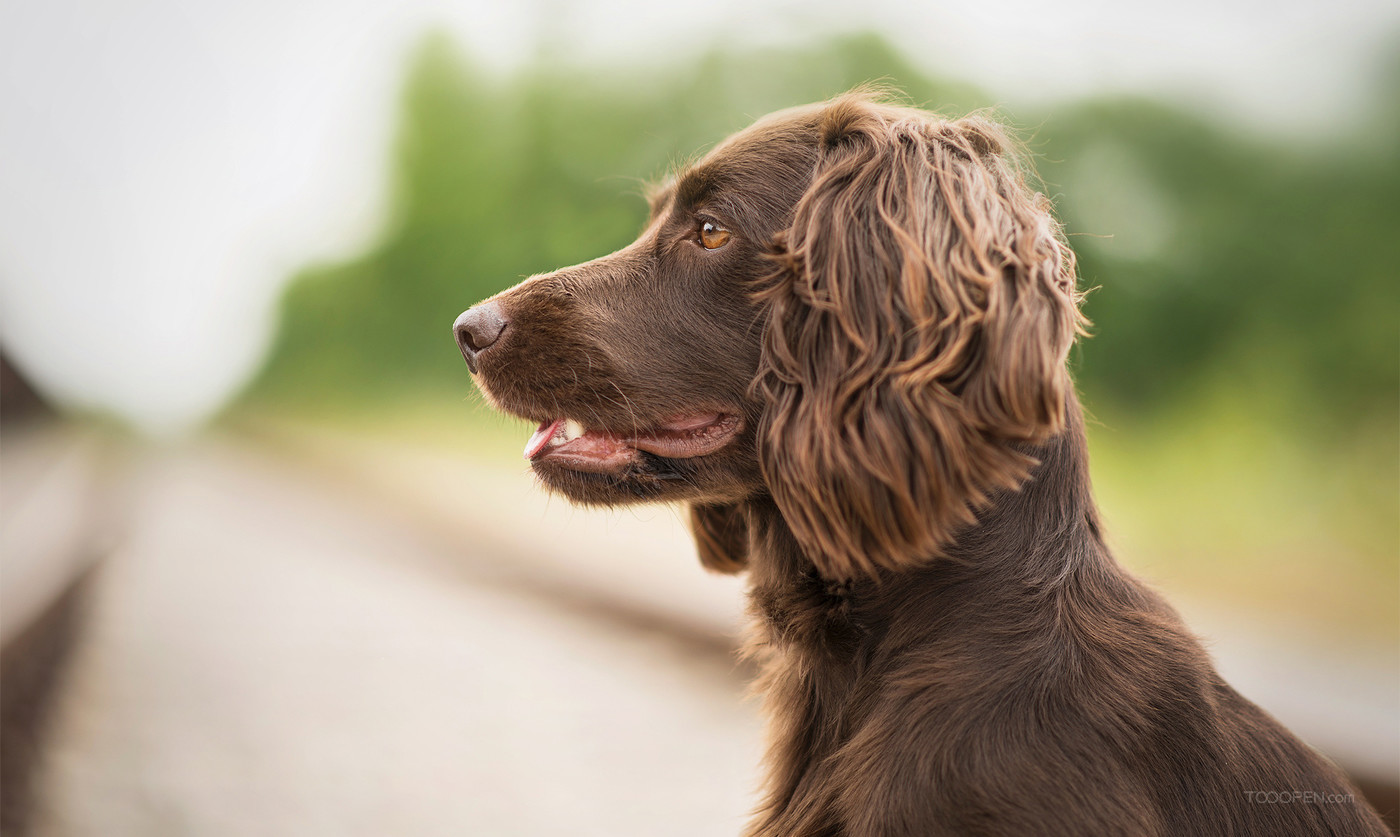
(269, 566)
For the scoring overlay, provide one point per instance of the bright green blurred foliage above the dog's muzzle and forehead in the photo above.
(498, 181)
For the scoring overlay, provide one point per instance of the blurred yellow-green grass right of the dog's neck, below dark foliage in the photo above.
(1219, 502)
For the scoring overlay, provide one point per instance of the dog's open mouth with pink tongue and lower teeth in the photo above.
(569, 443)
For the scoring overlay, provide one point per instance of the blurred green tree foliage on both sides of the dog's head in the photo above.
(1219, 257)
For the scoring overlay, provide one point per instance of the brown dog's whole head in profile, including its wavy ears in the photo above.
(857, 310)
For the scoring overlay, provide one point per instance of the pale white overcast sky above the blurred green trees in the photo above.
(164, 166)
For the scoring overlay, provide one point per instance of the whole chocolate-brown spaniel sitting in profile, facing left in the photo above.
(842, 341)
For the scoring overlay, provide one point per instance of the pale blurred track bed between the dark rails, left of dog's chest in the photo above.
(269, 659)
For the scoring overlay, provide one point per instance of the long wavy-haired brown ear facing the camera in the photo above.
(918, 328)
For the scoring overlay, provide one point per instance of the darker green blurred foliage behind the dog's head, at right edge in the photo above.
(1270, 267)
